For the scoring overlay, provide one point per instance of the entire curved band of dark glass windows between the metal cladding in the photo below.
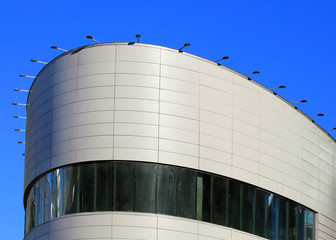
(169, 190)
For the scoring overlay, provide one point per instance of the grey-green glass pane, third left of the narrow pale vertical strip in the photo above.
(145, 187)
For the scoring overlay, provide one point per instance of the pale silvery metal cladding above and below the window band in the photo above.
(145, 103)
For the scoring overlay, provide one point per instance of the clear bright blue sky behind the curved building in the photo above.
(291, 42)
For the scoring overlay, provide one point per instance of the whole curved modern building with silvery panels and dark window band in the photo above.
(136, 141)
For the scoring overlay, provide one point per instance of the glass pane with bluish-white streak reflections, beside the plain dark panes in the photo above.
(70, 190)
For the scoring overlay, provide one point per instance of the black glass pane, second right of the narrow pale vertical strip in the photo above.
(219, 200)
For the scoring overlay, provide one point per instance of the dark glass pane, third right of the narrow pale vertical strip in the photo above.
(234, 204)
